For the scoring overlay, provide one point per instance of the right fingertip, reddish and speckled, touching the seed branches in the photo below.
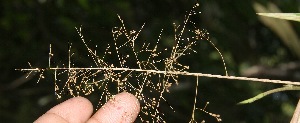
(124, 107)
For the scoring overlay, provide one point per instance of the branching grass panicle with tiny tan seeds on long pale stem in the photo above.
(135, 74)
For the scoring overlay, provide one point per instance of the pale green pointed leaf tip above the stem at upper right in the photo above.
(285, 16)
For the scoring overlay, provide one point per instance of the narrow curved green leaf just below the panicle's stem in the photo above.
(261, 95)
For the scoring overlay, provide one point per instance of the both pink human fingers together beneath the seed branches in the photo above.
(123, 108)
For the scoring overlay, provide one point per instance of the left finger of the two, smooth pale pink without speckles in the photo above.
(74, 110)
